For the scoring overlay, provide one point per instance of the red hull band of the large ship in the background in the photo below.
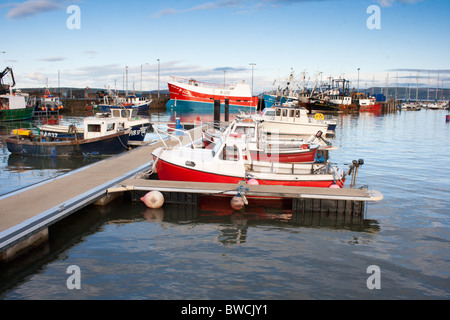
(179, 93)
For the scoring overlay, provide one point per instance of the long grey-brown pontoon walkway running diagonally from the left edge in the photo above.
(32, 209)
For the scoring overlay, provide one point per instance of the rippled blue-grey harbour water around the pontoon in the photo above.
(126, 251)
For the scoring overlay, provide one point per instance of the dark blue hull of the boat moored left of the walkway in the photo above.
(104, 146)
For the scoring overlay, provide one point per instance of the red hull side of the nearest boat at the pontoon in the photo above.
(168, 171)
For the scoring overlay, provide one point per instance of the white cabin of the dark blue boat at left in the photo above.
(101, 125)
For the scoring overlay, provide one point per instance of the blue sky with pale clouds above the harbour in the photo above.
(204, 38)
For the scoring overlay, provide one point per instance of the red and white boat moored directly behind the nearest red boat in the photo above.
(262, 148)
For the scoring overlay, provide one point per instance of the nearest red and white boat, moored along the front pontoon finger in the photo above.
(228, 162)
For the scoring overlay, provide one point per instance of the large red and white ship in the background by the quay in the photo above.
(191, 90)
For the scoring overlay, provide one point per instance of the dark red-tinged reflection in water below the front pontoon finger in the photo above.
(233, 225)
